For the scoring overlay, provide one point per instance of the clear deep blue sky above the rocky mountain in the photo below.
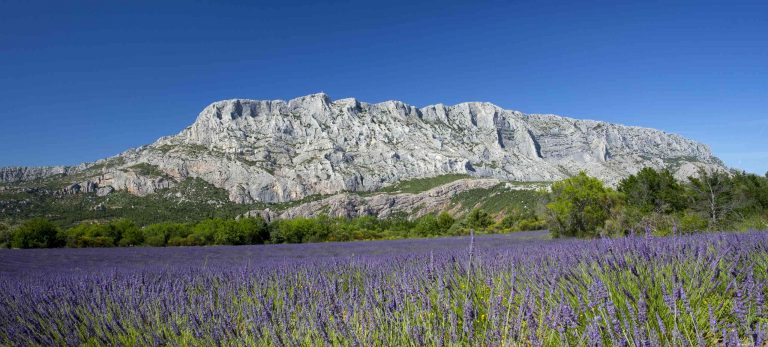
(84, 80)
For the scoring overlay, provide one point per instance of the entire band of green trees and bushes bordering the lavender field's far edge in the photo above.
(649, 202)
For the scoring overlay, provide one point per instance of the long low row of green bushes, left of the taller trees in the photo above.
(41, 233)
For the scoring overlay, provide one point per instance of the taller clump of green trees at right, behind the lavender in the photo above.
(654, 201)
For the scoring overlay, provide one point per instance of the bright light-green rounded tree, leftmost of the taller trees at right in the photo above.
(579, 206)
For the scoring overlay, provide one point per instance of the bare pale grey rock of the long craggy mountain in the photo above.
(283, 152)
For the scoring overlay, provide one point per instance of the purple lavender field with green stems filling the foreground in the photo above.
(502, 290)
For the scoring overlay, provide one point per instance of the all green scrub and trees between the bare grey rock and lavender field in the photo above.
(196, 213)
